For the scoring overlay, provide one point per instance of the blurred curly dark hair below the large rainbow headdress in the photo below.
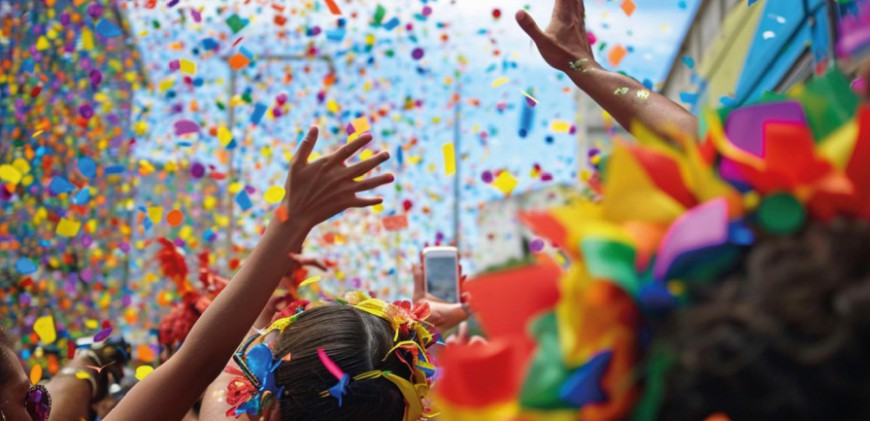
(786, 338)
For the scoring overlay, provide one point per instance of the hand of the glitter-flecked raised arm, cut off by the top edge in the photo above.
(565, 40)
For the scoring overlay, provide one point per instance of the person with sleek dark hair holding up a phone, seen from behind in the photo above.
(363, 343)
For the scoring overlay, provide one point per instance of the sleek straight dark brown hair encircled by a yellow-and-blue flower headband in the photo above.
(357, 342)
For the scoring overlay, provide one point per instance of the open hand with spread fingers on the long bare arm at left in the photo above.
(319, 190)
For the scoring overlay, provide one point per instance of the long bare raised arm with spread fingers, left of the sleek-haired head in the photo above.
(316, 191)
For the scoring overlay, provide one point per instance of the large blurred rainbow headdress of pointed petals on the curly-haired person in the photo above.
(674, 213)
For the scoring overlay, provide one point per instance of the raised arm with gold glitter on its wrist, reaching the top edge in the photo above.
(565, 47)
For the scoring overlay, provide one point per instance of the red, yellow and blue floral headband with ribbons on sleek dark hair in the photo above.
(256, 388)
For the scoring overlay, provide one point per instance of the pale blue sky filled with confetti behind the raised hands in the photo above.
(376, 74)
